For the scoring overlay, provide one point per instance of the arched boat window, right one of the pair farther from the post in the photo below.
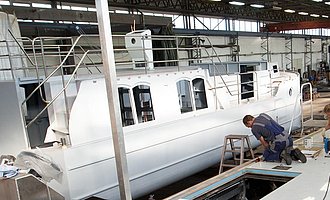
(199, 93)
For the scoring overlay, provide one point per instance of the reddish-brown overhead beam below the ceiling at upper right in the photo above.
(286, 26)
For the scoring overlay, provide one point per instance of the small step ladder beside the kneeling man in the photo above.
(239, 149)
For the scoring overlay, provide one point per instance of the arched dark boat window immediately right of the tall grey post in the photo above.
(125, 106)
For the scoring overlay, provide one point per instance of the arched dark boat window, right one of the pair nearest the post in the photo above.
(143, 103)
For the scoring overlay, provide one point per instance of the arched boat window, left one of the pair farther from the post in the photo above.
(184, 95)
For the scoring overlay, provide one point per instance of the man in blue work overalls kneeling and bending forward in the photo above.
(277, 142)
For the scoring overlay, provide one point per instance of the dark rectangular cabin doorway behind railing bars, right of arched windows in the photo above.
(247, 86)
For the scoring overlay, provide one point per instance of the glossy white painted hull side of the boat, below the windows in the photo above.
(162, 153)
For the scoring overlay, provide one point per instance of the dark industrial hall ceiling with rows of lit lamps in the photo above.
(272, 12)
